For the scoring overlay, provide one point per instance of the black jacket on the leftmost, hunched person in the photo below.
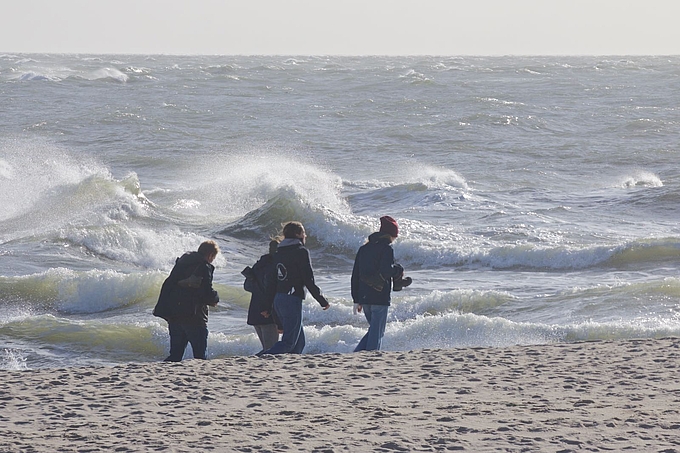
(180, 303)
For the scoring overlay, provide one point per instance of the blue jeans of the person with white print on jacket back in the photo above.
(289, 310)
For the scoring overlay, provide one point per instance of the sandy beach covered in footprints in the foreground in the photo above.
(592, 396)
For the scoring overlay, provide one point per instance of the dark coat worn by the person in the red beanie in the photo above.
(374, 270)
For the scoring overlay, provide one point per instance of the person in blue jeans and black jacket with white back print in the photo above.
(293, 274)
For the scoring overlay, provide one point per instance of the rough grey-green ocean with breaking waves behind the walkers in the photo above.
(537, 197)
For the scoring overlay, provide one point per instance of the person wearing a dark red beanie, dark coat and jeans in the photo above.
(373, 276)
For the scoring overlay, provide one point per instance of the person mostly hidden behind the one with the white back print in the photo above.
(260, 310)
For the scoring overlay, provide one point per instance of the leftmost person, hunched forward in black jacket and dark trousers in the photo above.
(184, 300)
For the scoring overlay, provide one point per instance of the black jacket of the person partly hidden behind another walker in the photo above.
(257, 281)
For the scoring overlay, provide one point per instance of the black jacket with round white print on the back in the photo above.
(294, 271)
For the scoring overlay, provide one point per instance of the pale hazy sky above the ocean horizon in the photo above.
(342, 27)
